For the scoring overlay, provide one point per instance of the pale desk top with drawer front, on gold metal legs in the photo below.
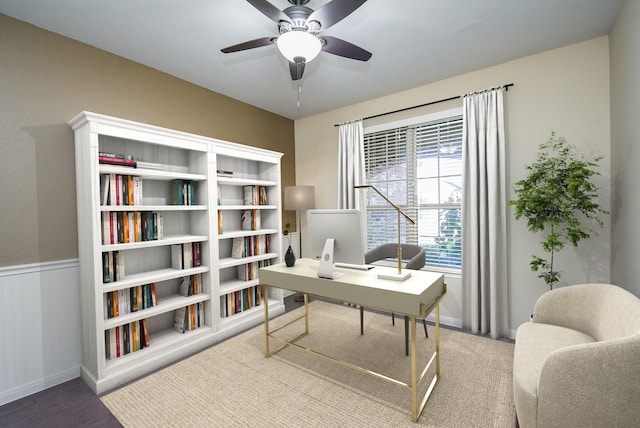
(413, 296)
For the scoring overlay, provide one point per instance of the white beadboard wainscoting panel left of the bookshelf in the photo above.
(39, 327)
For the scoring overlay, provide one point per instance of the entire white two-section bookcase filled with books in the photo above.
(176, 156)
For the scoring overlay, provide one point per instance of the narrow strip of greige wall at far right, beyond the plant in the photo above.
(625, 144)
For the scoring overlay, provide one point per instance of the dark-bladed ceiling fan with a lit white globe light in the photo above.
(299, 27)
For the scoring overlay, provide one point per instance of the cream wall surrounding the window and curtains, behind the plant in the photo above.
(566, 90)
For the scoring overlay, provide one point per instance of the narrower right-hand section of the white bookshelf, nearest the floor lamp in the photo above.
(260, 171)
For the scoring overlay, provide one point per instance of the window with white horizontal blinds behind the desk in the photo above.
(419, 167)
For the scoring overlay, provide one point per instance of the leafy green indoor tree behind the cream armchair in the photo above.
(557, 198)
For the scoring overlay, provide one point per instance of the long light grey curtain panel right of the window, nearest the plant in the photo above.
(484, 223)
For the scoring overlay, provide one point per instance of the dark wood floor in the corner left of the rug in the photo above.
(70, 404)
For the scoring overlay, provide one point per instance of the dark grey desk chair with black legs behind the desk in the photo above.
(415, 259)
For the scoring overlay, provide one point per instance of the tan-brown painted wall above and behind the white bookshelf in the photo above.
(47, 79)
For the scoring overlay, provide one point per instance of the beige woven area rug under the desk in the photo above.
(232, 384)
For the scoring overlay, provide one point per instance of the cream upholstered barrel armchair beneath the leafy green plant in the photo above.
(577, 363)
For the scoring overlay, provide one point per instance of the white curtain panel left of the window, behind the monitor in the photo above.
(351, 169)
